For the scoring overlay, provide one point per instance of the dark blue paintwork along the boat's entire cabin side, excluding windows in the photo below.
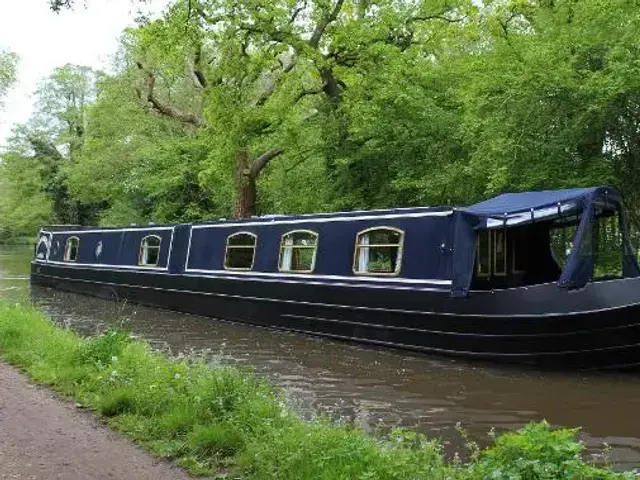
(427, 252)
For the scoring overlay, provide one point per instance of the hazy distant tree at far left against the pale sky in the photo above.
(45, 149)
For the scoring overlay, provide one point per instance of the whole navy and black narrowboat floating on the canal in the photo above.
(547, 278)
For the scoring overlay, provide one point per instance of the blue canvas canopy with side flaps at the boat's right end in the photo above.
(515, 209)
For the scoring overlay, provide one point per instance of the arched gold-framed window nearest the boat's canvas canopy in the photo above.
(378, 251)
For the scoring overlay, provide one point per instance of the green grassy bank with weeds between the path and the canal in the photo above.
(219, 421)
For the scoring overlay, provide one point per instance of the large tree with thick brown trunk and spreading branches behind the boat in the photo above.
(252, 65)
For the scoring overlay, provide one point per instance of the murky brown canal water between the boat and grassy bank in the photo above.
(370, 386)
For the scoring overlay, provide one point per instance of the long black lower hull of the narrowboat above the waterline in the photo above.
(606, 338)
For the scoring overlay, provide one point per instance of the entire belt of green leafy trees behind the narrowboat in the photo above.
(223, 108)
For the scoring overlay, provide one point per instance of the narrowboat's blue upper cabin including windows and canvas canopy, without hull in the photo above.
(567, 236)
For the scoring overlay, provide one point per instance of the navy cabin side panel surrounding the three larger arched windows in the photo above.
(426, 253)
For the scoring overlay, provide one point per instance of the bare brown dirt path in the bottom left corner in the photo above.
(44, 437)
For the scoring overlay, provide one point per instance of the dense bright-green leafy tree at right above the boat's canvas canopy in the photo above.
(548, 86)
